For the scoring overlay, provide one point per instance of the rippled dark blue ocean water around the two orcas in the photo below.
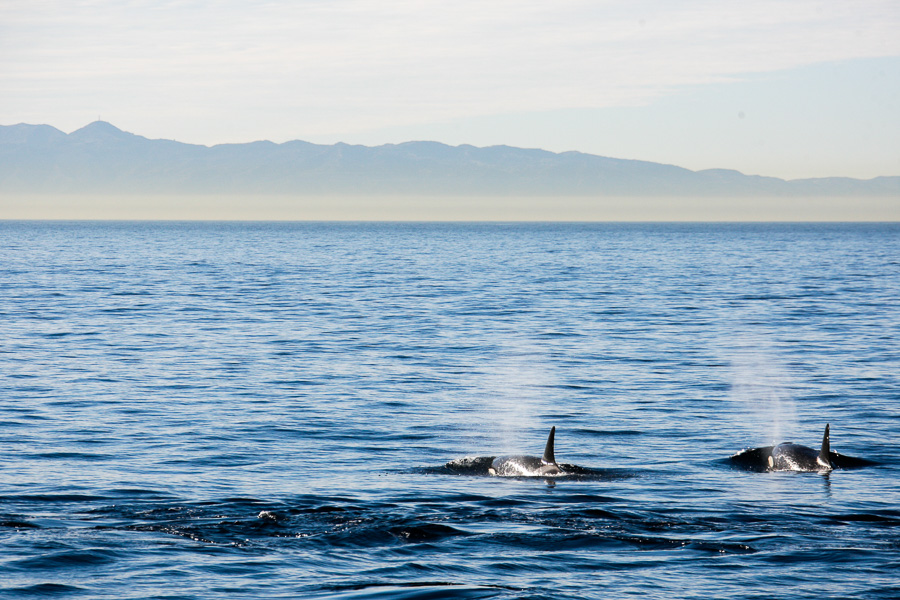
(250, 410)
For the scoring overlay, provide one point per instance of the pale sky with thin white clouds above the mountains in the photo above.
(792, 89)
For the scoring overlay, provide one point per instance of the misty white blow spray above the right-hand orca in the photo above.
(762, 387)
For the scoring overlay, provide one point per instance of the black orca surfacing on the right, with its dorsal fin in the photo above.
(788, 456)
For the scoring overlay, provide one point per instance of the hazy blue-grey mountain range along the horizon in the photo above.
(101, 158)
